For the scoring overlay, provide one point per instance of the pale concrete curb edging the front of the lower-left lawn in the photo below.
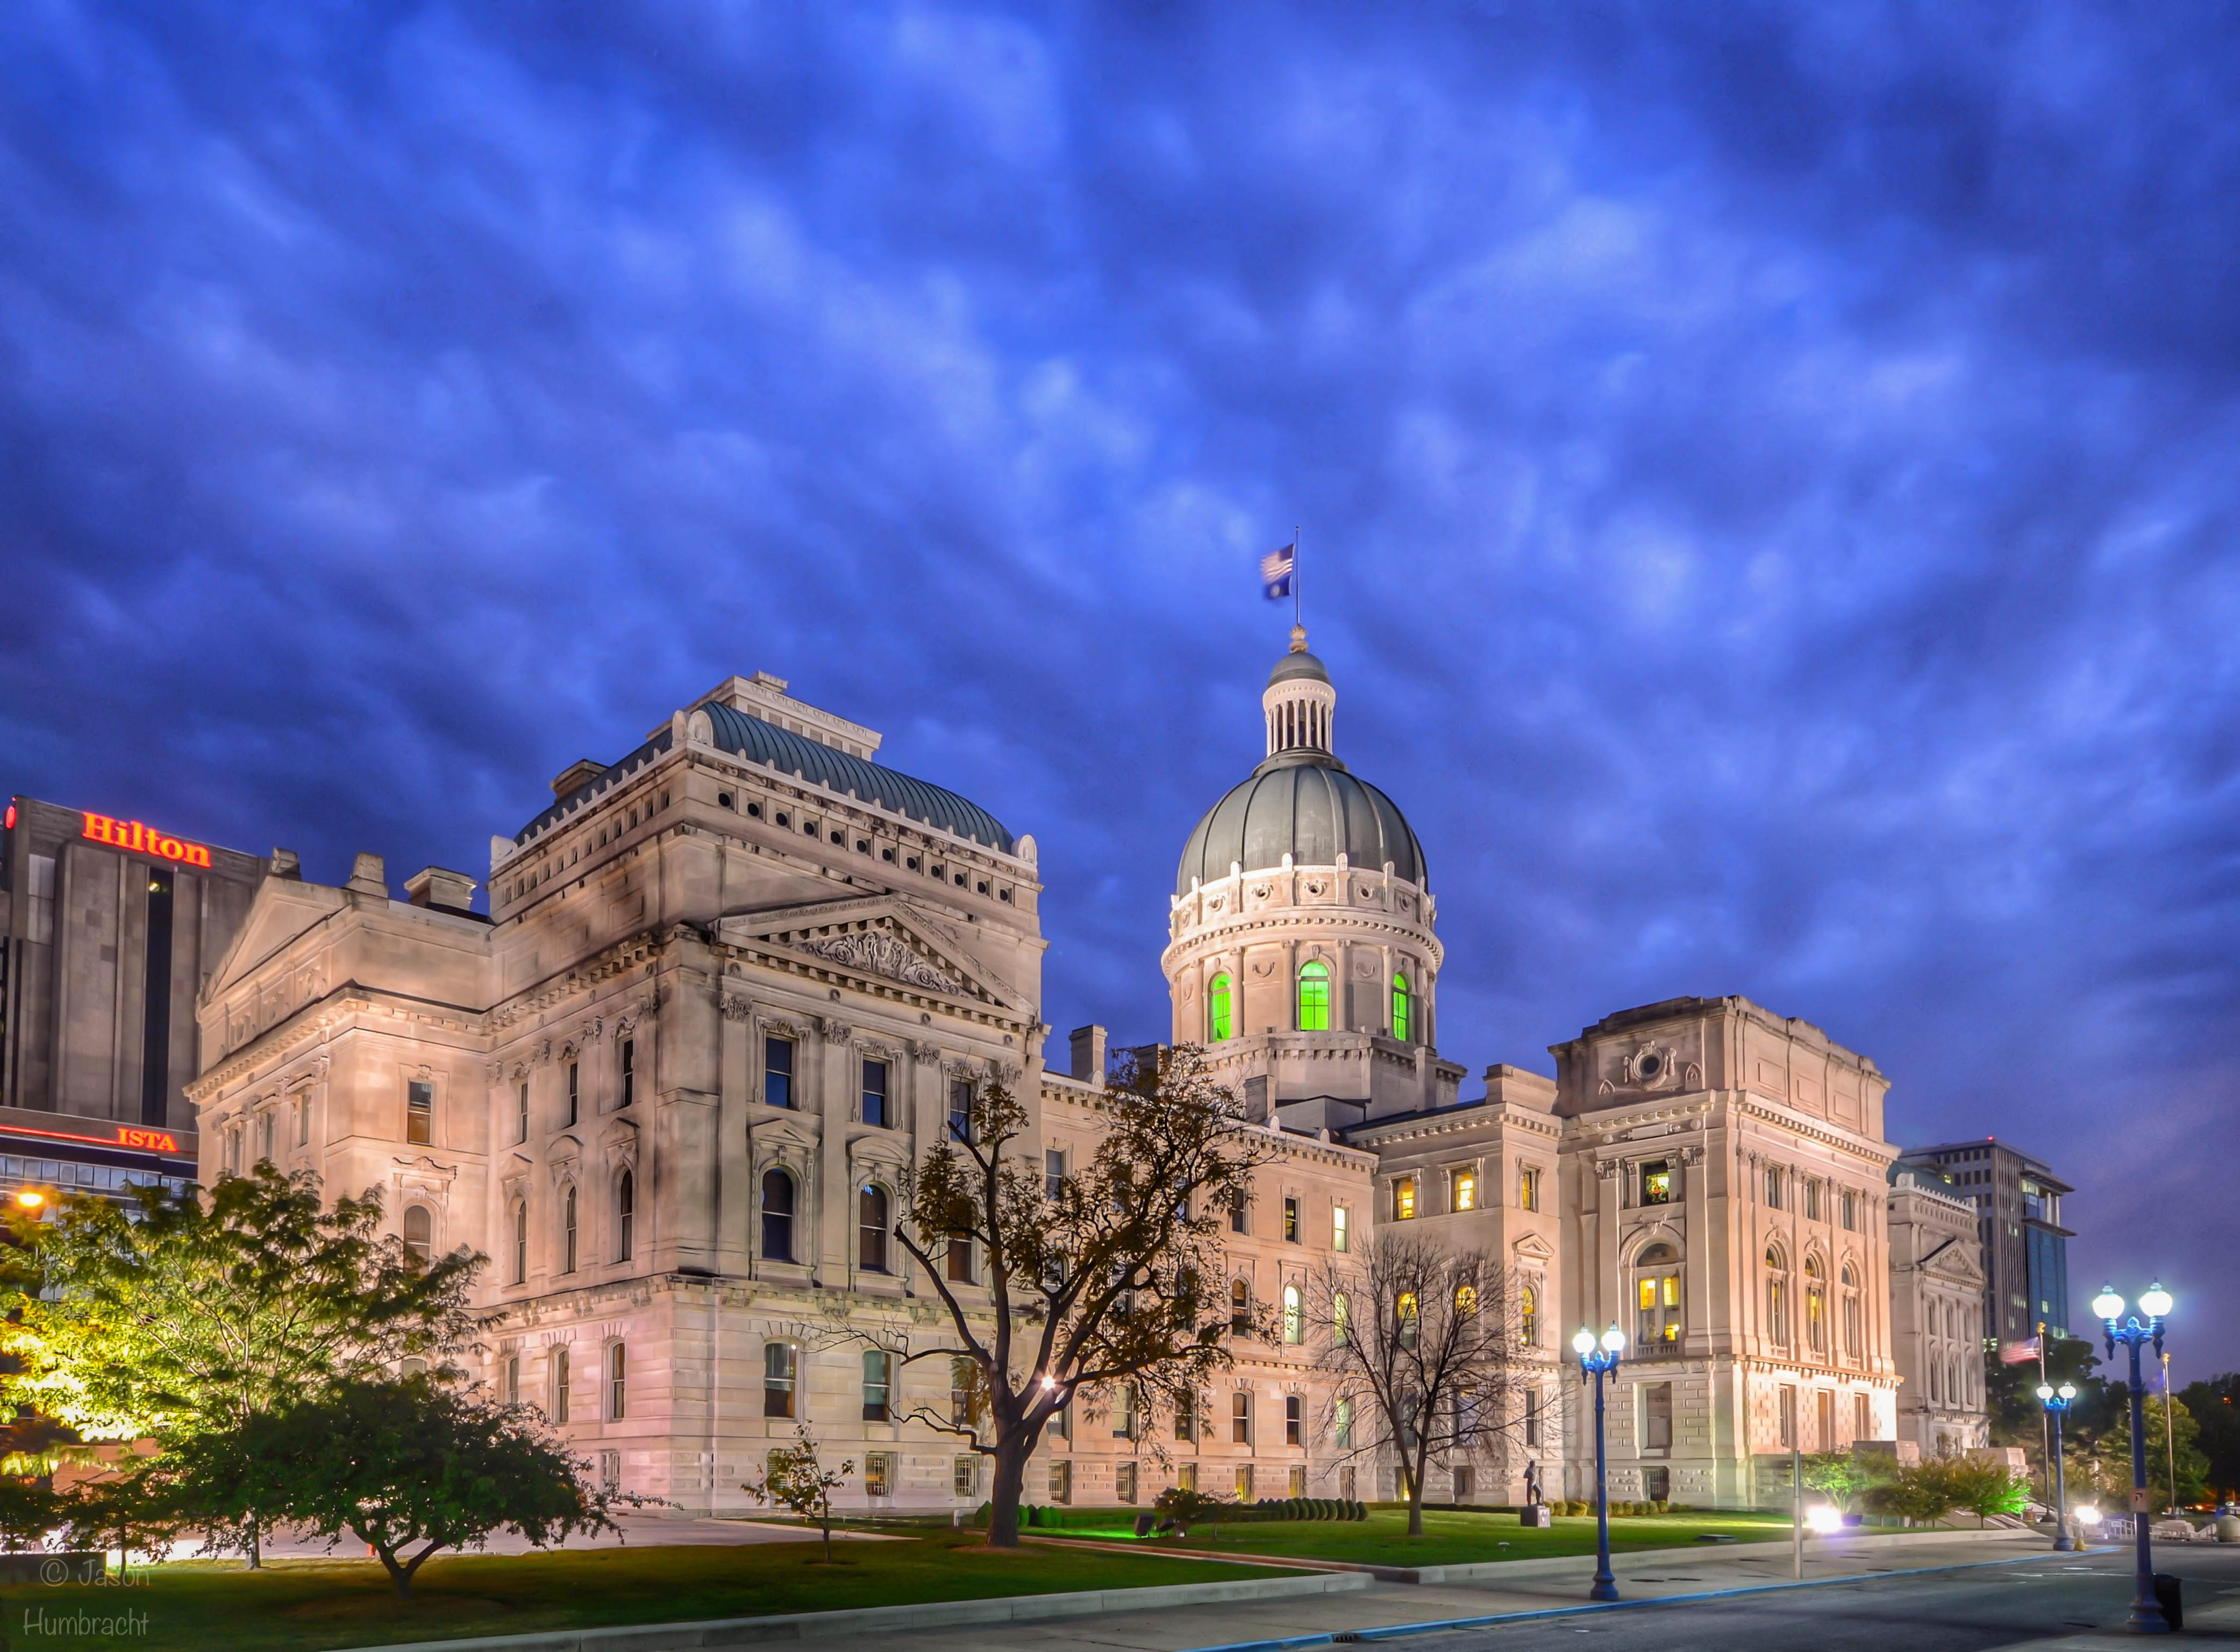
(931, 1615)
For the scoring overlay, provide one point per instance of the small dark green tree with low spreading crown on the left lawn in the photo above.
(407, 1465)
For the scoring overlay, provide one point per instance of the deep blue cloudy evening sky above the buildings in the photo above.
(1768, 476)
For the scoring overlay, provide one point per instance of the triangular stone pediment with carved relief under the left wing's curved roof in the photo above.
(879, 943)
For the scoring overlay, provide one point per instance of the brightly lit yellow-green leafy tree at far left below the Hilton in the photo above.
(196, 1312)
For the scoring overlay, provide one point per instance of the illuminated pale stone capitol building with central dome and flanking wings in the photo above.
(734, 985)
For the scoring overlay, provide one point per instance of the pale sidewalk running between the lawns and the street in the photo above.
(1553, 1586)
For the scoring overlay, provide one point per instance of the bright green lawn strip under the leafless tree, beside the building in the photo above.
(1455, 1537)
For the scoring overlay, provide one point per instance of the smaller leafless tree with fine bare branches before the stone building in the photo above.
(1424, 1353)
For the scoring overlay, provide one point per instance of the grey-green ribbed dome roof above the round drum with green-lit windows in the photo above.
(1309, 808)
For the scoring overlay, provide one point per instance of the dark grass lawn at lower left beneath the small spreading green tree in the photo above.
(337, 1604)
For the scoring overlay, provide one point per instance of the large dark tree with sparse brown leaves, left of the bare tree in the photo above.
(1105, 1281)
